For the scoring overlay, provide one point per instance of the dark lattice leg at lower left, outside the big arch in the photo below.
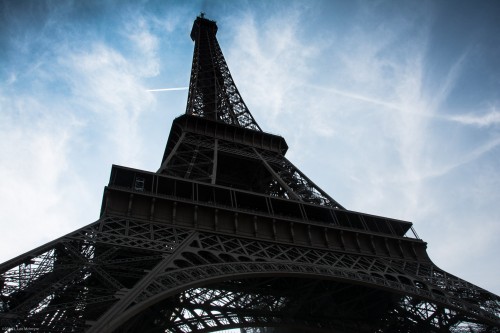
(63, 283)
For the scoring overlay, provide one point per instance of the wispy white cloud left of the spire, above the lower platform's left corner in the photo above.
(106, 84)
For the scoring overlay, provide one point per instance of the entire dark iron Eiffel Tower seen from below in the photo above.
(229, 234)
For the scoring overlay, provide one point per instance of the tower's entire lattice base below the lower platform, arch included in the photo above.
(71, 282)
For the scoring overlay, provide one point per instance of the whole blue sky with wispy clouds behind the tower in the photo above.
(391, 107)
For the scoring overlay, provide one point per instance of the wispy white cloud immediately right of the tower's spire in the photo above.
(270, 62)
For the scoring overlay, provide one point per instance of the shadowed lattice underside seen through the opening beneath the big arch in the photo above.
(271, 302)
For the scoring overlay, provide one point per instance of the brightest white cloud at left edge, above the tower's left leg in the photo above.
(39, 194)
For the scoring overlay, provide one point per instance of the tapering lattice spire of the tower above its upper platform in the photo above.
(212, 91)
